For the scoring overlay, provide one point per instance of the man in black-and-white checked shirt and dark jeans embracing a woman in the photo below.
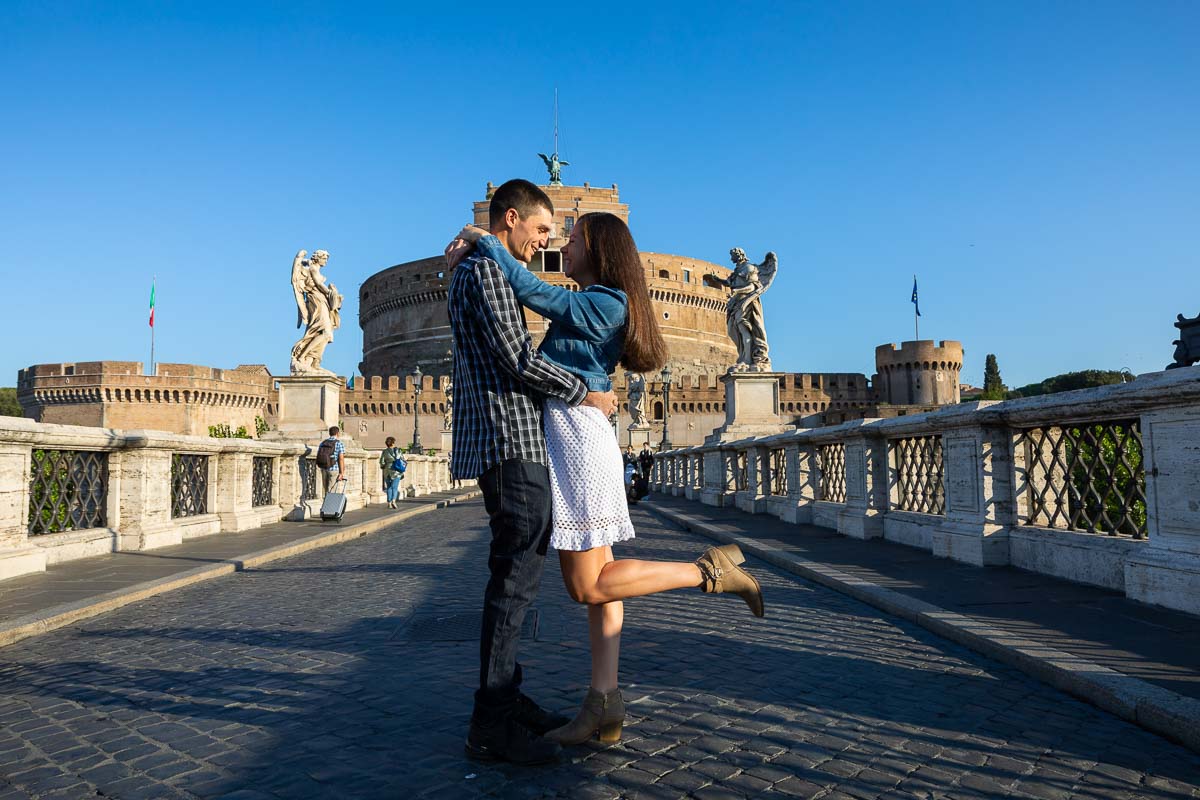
(500, 382)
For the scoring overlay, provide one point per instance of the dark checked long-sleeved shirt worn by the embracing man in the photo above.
(500, 380)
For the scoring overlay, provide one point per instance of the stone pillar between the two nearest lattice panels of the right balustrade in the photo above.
(980, 500)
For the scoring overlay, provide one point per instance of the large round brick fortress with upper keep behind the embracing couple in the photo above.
(403, 310)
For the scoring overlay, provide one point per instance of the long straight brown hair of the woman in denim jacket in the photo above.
(611, 250)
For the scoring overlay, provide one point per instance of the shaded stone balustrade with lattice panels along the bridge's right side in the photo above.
(1100, 486)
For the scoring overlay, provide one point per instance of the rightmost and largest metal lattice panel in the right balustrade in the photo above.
(1088, 478)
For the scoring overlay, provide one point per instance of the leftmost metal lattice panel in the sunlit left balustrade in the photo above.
(68, 491)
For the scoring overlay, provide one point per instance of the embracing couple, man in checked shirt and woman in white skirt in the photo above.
(532, 426)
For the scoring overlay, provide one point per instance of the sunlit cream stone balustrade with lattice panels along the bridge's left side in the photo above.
(70, 492)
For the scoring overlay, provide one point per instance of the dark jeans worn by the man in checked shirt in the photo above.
(517, 496)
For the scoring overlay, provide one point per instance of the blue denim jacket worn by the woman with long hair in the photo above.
(587, 328)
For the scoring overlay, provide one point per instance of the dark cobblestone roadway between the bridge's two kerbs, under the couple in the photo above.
(303, 679)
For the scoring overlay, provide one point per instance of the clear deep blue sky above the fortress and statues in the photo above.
(1035, 164)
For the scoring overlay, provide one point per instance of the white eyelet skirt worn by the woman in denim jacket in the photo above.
(586, 479)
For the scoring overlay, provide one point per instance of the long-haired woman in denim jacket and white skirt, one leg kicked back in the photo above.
(610, 320)
